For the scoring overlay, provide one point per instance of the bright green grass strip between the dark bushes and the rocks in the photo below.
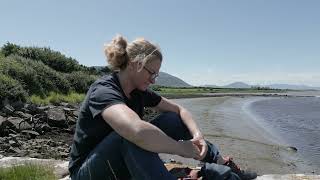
(55, 98)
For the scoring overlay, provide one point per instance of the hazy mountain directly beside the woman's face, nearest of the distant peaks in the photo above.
(166, 79)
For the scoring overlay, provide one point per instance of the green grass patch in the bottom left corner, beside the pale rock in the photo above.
(27, 172)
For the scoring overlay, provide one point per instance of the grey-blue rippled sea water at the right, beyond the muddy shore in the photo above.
(296, 121)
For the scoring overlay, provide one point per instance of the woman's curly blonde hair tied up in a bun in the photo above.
(119, 52)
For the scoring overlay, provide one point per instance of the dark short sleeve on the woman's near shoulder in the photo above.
(102, 97)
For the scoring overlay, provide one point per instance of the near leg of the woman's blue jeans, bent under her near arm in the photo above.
(117, 158)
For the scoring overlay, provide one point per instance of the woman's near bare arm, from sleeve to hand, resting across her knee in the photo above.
(145, 135)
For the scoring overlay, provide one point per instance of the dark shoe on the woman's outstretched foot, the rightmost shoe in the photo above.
(244, 175)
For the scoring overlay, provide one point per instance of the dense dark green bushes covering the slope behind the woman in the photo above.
(27, 71)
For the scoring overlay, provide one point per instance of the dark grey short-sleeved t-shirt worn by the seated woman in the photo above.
(90, 127)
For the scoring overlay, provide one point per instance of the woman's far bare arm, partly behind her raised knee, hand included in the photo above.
(198, 139)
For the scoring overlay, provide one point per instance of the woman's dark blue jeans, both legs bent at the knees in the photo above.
(116, 158)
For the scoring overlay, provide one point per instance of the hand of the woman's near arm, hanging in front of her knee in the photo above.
(188, 149)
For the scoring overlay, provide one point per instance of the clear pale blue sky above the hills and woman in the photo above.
(205, 42)
